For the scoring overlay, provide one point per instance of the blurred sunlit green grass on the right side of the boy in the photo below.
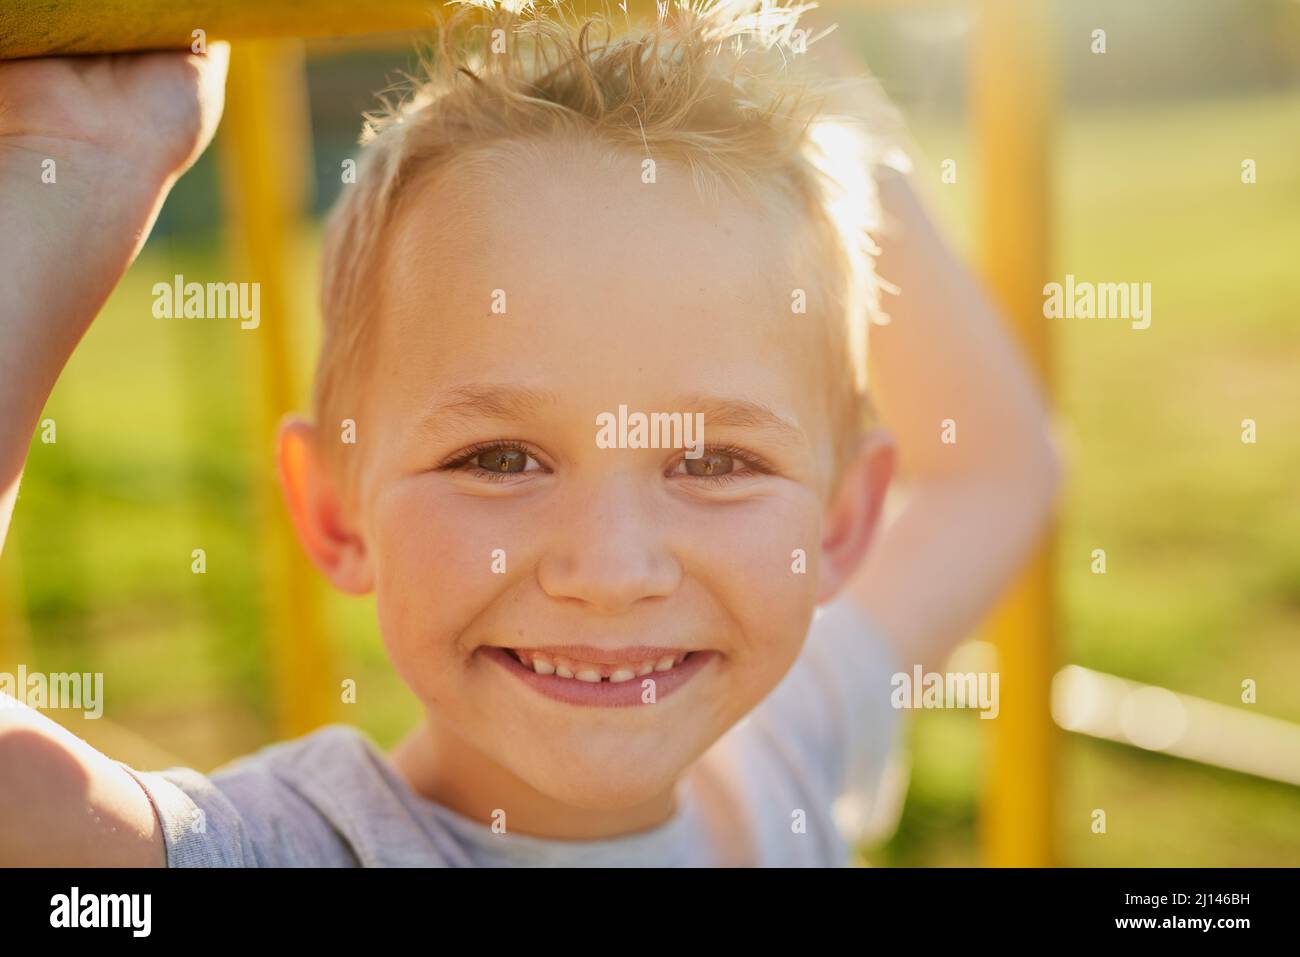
(1202, 532)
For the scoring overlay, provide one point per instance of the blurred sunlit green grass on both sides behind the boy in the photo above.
(158, 451)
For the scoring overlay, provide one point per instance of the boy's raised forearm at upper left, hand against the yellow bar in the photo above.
(89, 150)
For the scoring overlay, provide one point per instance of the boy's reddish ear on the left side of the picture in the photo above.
(324, 523)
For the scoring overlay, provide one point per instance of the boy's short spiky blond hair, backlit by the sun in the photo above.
(710, 84)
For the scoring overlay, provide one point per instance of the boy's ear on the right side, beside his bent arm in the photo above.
(855, 512)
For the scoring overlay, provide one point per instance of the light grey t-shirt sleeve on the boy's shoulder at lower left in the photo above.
(253, 820)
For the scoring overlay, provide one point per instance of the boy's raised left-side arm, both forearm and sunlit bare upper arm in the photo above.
(120, 132)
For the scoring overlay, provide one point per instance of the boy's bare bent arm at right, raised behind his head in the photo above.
(976, 509)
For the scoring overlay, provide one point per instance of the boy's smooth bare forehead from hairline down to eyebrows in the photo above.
(560, 261)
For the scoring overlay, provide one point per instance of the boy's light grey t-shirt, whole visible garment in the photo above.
(811, 767)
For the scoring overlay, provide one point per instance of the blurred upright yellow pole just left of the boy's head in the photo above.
(266, 153)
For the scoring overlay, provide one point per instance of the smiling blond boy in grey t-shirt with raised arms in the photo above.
(608, 638)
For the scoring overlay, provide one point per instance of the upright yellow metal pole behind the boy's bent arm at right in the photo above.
(1012, 89)
